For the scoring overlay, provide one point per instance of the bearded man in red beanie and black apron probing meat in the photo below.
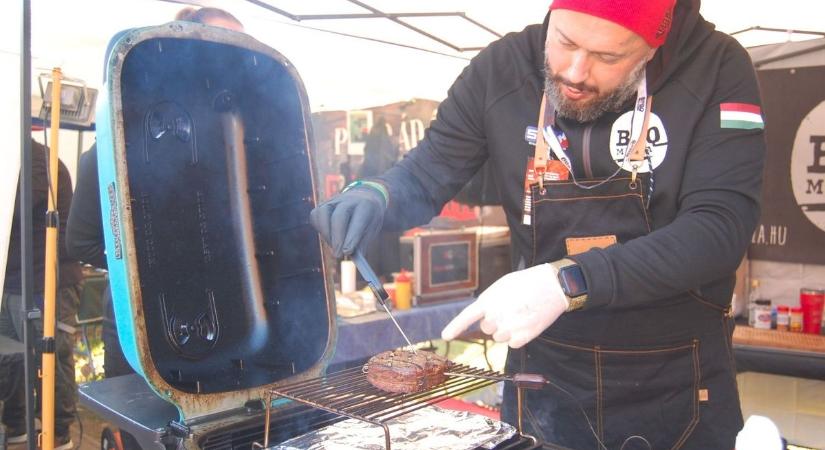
(623, 255)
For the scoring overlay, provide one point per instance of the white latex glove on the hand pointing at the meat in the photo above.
(516, 308)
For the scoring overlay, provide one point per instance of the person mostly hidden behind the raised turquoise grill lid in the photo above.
(85, 226)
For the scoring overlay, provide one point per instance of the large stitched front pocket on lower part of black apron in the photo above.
(619, 390)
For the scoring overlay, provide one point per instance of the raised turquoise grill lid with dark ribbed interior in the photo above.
(206, 177)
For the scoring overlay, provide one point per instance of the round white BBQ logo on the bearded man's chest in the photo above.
(655, 149)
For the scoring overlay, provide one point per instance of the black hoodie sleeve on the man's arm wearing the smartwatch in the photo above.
(718, 208)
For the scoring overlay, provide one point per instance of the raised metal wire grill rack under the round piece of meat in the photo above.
(348, 393)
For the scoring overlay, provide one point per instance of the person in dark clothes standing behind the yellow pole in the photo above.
(13, 310)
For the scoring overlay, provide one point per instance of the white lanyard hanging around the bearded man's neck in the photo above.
(556, 140)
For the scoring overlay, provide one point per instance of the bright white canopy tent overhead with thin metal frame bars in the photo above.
(345, 63)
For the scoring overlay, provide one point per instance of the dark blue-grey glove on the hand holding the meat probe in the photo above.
(351, 219)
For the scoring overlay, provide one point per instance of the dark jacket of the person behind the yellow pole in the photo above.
(70, 273)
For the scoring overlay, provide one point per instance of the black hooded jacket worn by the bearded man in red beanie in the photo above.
(707, 189)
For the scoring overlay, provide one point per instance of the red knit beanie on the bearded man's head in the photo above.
(650, 19)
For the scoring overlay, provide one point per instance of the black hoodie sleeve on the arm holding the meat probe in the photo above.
(453, 149)
